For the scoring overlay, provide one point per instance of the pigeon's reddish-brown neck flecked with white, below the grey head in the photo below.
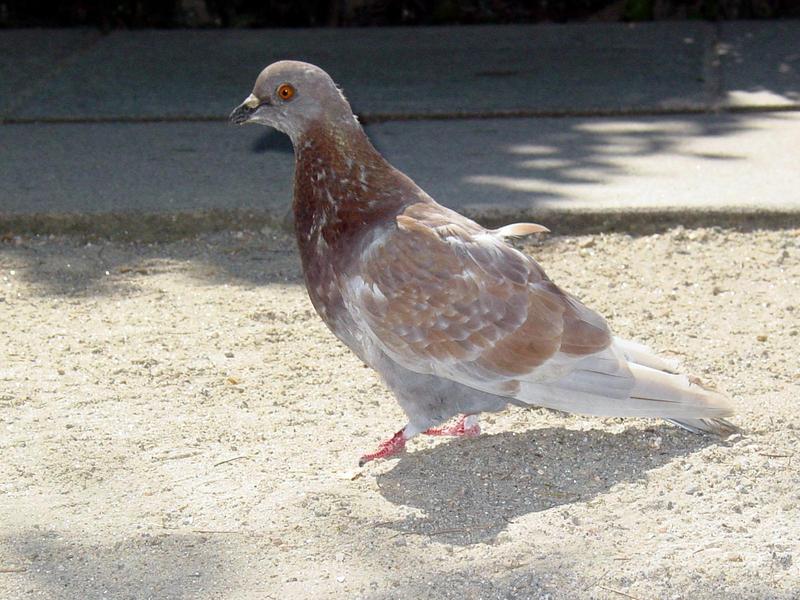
(343, 186)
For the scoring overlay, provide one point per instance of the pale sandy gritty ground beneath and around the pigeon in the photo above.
(177, 423)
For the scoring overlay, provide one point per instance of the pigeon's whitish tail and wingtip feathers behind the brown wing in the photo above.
(629, 380)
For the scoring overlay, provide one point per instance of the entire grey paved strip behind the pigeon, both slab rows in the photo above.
(664, 116)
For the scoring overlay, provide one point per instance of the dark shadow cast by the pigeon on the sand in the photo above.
(470, 490)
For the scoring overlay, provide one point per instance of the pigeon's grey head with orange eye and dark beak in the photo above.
(291, 96)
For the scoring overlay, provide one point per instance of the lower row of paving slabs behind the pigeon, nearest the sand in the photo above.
(741, 161)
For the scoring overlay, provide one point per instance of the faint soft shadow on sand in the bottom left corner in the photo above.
(177, 566)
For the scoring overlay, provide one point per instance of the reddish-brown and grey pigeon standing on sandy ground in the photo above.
(453, 317)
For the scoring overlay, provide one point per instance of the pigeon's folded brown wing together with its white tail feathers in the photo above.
(441, 295)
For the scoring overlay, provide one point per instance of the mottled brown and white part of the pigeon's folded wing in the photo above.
(441, 295)
